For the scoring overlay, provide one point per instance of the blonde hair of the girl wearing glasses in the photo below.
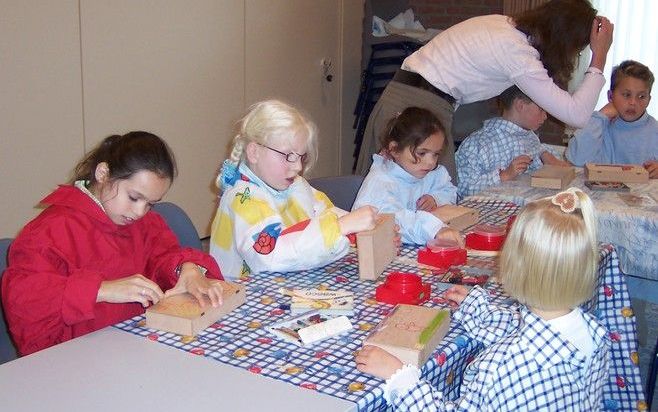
(271, 121)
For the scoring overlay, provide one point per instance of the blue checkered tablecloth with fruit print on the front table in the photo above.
(240, 338)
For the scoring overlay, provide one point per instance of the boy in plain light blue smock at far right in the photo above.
(622, 131)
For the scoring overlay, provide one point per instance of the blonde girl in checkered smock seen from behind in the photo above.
(545, 355)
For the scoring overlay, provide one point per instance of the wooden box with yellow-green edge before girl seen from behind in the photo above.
(411, 333)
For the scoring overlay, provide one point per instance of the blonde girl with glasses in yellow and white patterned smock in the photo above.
(269, 217)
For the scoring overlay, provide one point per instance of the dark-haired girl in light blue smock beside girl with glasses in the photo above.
(407, 179)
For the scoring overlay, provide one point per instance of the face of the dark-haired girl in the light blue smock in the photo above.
(427, 154)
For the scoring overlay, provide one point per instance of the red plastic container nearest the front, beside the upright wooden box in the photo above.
(406, 288)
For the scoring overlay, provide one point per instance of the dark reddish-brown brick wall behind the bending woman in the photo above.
(441, 14)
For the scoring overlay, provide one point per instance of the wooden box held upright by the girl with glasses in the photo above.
(375, 248)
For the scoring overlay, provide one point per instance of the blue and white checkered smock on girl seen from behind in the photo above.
(532, 369)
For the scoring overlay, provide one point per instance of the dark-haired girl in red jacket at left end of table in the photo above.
(97, 254)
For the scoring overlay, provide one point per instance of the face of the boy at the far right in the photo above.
(631, 98)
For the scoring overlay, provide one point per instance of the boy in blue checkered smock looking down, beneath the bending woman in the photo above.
(504, 147)
